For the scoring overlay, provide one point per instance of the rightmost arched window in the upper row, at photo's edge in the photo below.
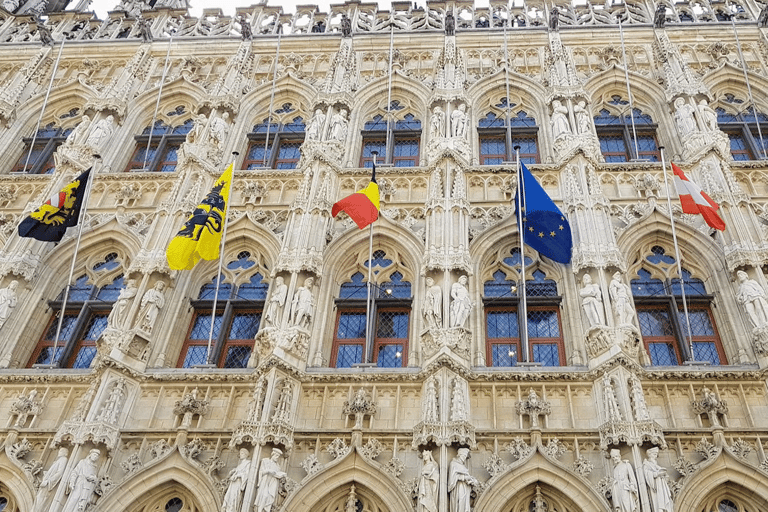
(747, 132)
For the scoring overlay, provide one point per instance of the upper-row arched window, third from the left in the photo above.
(276, 145)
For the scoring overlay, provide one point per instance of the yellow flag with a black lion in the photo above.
(201, 235)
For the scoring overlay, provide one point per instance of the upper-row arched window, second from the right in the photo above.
(614, 126)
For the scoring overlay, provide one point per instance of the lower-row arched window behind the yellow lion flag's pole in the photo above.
(239, 307)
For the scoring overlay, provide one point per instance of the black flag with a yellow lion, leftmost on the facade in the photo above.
(50, 221)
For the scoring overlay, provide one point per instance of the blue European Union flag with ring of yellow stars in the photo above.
(545, 228)
